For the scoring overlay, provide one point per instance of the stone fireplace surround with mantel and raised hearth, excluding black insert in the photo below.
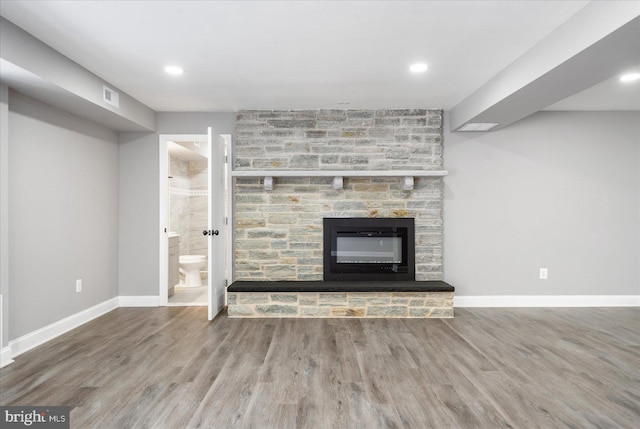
(292, 169)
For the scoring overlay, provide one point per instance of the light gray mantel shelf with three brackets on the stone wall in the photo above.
(338, 175)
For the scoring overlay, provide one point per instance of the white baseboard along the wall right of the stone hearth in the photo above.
(547, 301)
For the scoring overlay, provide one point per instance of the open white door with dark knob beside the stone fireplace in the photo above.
(217, 230)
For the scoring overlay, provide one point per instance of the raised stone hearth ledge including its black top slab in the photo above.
(317, 299)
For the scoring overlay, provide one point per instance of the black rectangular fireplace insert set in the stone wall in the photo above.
(369, 249)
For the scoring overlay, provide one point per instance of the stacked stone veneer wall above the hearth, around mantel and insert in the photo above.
(278, 234)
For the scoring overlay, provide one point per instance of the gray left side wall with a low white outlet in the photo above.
(63, 214)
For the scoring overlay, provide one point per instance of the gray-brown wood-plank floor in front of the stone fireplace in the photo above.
(487, 368)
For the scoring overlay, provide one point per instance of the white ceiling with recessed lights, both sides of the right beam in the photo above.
(301, 54)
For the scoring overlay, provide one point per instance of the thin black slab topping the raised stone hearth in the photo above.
(339, 286)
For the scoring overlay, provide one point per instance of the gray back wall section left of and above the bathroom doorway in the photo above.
(139, 196)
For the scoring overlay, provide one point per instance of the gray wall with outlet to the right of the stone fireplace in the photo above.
(559, 190)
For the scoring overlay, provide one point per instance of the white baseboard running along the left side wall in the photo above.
(49, 332)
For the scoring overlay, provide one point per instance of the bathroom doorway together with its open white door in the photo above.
(192, 237)
